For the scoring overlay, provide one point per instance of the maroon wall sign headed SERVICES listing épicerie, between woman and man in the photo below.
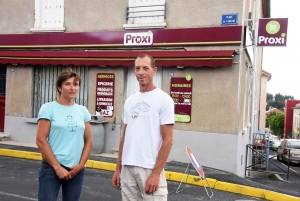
(105, 87)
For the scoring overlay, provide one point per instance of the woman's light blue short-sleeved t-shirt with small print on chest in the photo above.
(66, 136)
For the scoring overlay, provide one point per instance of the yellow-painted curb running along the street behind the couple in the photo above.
(172, 176)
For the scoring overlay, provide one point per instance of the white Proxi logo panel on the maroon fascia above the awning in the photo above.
(139, 38)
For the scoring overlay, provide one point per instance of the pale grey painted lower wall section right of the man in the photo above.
(213, 150)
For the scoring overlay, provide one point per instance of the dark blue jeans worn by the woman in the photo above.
(49, 185)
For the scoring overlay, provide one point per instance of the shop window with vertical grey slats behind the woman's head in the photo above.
(44, 85)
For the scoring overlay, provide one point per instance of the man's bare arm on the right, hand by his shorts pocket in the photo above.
(152, 183)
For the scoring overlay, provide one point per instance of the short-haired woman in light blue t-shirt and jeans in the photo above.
(64, 139)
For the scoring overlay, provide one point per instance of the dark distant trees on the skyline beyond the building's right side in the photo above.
(277, 101)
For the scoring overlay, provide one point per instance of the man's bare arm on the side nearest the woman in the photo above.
(116, 177)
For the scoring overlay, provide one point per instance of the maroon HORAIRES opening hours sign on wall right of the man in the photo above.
(181, 92)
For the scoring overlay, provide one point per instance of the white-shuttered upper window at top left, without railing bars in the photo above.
(49, 16)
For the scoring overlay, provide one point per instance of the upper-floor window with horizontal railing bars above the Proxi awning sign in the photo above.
(145, 14)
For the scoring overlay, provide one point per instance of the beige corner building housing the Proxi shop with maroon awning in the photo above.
(204, 52)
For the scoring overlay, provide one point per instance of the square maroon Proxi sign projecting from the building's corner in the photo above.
(272, 32)
